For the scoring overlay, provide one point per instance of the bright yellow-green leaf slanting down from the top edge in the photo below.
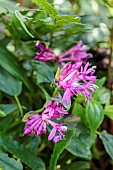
(46, 7)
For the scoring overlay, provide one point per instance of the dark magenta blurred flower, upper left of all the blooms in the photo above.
(44, 54)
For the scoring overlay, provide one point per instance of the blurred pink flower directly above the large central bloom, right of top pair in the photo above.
(76, 54)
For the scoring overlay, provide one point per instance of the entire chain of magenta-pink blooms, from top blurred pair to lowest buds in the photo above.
(75, 78)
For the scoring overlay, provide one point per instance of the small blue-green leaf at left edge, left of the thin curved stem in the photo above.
(8, 108)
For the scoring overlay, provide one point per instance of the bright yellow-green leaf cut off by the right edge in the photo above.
(108, 110)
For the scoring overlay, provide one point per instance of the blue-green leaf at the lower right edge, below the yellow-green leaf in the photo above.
(107, 140)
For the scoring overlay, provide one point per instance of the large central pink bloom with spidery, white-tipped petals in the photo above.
(77, 80)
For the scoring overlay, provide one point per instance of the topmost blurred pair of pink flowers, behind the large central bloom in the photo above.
(75, 54)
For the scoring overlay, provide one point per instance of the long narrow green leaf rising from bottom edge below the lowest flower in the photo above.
(58, 149)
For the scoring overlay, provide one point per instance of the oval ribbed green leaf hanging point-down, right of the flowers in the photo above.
(94, 115)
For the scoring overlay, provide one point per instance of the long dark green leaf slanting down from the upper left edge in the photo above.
(9, 62)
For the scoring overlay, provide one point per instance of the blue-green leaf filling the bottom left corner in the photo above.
(9, 163)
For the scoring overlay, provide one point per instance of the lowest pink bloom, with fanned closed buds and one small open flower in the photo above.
(36, 124)
